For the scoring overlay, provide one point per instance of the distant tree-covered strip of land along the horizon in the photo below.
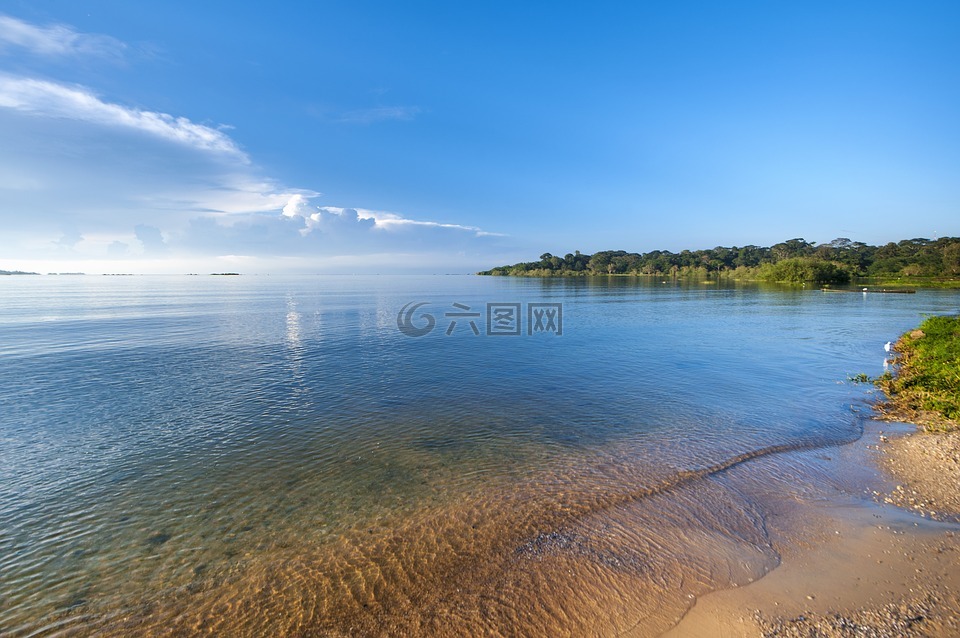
(791, 261)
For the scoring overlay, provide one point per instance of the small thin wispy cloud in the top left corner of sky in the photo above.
(55, 40)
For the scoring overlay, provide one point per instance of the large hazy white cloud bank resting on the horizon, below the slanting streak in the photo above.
(111, 193)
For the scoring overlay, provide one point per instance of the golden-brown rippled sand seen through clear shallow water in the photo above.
(601, 548)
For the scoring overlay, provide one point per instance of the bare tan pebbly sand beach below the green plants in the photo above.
(886, 566)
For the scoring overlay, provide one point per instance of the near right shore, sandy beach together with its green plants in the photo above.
(892, 566)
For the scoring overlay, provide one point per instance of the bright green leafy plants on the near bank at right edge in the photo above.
(926, 387)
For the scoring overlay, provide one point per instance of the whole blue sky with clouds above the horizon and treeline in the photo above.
(448, 137)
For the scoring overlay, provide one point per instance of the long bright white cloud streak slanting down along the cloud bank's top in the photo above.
(50, 99)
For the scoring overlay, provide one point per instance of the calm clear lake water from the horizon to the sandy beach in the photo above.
(259, 454)
